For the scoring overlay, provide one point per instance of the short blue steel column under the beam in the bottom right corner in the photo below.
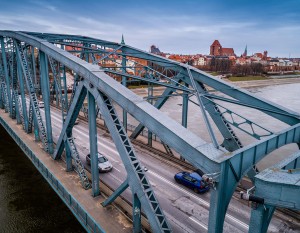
(261, 216)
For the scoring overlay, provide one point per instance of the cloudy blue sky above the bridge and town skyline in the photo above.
(182, 27)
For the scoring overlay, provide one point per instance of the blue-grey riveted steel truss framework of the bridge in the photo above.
(34, 66)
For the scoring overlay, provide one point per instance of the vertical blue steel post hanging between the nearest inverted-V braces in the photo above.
(93, 144)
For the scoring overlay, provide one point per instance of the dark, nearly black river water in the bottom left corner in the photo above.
(27, 202)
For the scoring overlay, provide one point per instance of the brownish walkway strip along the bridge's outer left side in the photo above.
(70, 184)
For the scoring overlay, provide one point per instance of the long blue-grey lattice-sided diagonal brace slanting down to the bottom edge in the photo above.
(137, 180)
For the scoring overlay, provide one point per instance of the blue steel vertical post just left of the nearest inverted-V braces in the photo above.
(44, 79)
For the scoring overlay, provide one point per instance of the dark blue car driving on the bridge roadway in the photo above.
(192, 180)
